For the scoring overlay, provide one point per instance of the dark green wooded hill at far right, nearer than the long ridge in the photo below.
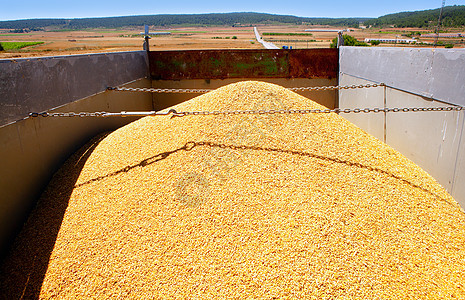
(452, 16)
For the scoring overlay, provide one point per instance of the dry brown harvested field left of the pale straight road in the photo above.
(128, 39)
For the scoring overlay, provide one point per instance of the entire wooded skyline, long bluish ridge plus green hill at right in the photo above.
(453, 16)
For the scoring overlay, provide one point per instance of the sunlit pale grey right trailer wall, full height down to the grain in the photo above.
(414, 78)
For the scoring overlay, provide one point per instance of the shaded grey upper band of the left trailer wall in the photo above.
(38, 84)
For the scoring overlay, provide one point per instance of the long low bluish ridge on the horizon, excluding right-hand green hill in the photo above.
(242, 18)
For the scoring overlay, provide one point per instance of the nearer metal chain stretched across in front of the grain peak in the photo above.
(174, 113)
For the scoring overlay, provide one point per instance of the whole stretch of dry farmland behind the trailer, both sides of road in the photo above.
(51, 43)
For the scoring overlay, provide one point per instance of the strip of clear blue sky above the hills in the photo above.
(31, 9)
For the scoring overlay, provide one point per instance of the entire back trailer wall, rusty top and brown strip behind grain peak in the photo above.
(210, 69)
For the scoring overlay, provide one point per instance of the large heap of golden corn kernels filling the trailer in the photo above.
(247, 206)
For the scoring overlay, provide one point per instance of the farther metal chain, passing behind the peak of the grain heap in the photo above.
(200, 91)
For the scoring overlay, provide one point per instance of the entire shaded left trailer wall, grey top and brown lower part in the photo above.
(32, 149)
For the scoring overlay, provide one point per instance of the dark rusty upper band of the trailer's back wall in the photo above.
(223, 64)
